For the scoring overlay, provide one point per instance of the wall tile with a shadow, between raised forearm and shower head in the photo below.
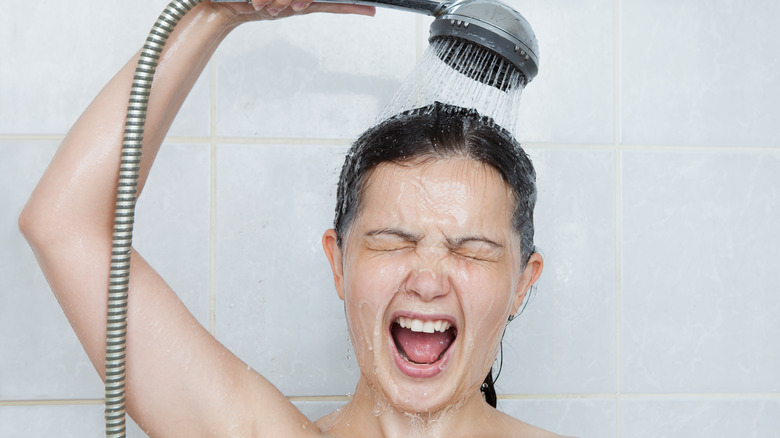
(312, 76)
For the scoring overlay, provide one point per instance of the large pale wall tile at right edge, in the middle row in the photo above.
(700, 254)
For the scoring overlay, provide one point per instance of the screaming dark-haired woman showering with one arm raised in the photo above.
(432, 252)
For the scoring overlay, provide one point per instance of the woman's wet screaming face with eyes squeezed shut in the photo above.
(430, 271)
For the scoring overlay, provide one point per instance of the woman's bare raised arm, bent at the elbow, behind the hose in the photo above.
(180, 380)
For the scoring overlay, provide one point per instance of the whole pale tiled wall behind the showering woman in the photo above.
(654, 129)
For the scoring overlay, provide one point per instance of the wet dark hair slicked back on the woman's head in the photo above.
(440, 131)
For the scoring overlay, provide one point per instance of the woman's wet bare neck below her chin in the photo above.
(369, 413)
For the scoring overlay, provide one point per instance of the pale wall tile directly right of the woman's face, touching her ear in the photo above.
(565, 339)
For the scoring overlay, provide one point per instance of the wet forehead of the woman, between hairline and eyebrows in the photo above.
(455, 193)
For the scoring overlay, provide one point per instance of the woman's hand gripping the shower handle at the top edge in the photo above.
(271, 9)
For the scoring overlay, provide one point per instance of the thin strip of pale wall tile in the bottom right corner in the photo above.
(701, 417)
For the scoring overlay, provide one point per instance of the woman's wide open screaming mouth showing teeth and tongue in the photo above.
(422, 342)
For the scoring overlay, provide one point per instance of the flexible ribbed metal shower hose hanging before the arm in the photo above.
(124, 213)
